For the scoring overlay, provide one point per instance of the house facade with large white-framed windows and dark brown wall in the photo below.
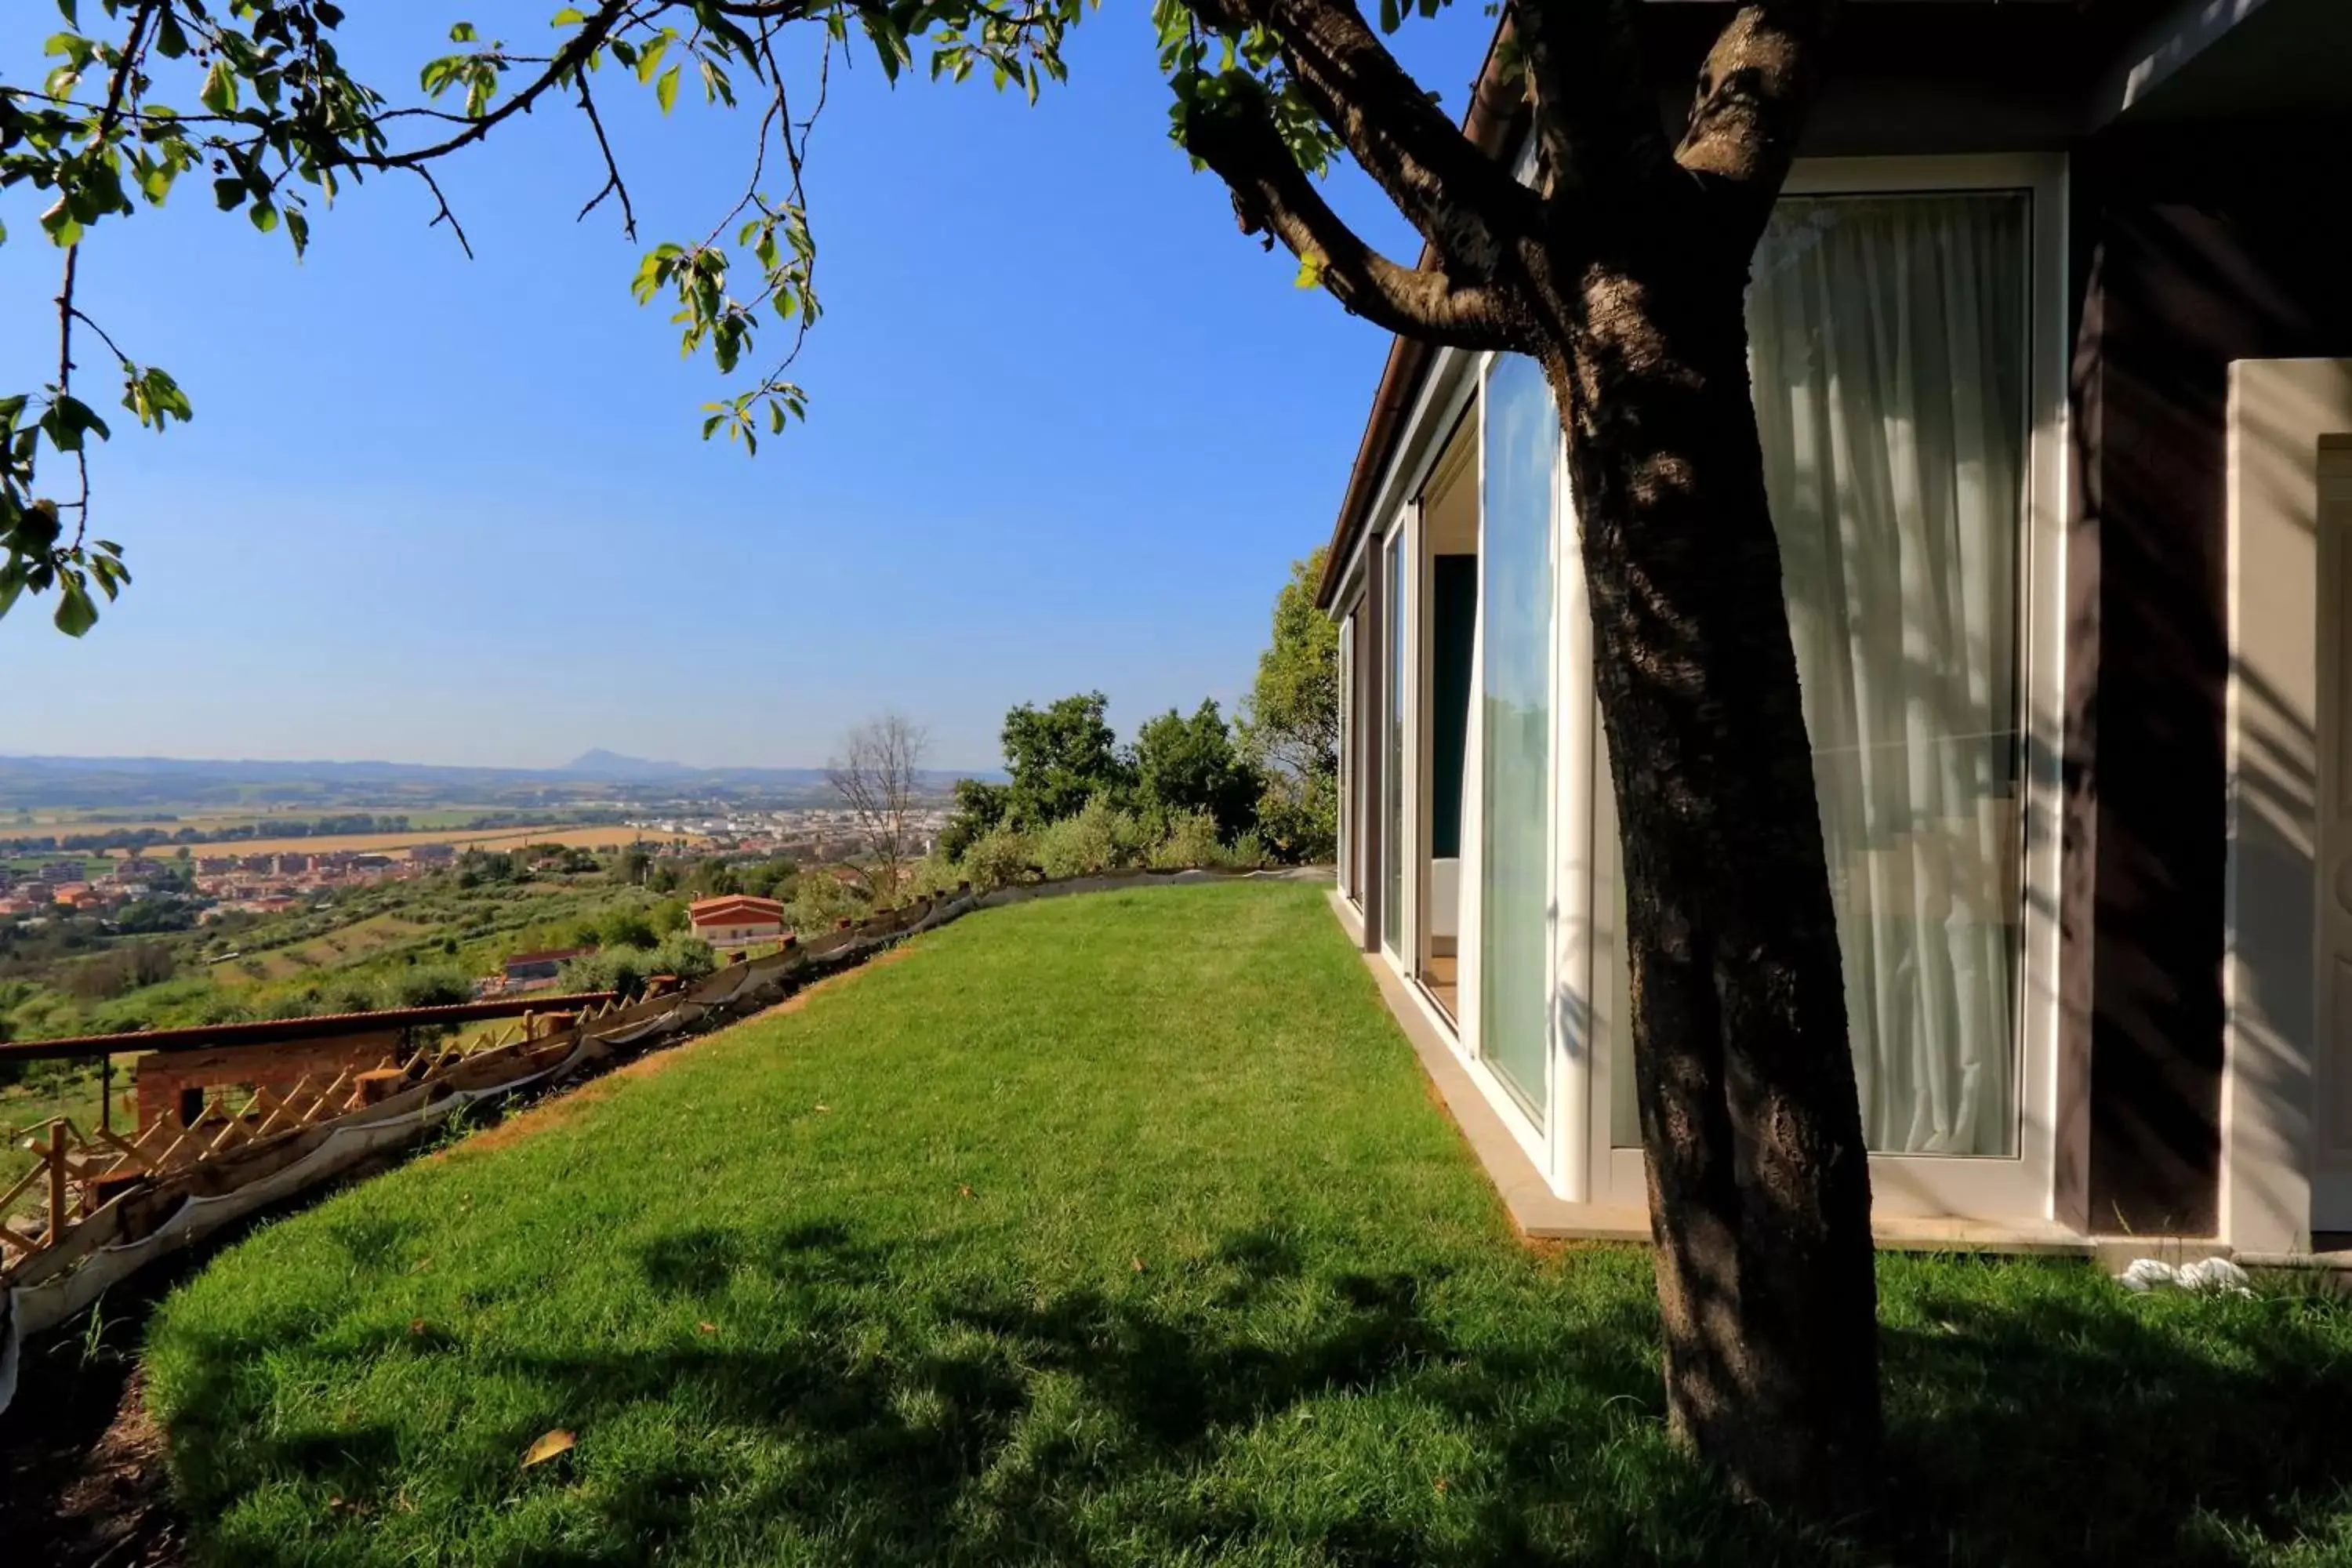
(2052, 354)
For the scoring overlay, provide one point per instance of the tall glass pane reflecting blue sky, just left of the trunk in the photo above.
(1516, 709)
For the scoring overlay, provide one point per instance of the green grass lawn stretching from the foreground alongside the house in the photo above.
(1123, 1231)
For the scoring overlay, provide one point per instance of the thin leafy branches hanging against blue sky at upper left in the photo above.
(255, 98)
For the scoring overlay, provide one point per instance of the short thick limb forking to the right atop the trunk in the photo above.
(1753, 98)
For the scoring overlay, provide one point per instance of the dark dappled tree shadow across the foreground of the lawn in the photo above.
(977, 1426)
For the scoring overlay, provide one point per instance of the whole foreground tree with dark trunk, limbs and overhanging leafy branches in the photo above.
(1619, 267)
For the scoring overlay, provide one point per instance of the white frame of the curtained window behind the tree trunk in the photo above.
(2040, 1181)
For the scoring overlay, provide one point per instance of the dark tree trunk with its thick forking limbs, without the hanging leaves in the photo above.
(1624, 272)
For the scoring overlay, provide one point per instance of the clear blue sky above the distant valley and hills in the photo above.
(1069, 431)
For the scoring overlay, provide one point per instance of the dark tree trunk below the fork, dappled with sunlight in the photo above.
(1758, 1170)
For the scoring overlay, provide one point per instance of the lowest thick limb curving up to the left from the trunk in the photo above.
(1271, 194)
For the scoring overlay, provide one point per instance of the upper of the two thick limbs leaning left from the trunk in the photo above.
(1441, 180)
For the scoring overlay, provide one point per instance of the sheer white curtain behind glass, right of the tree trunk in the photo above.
(1890, 349)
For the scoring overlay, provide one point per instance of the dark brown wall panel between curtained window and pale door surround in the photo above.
(2196, 253)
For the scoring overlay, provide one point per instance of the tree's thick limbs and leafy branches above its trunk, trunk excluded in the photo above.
(255, 98)
